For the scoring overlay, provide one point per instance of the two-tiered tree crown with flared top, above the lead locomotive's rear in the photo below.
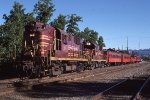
(72, 26)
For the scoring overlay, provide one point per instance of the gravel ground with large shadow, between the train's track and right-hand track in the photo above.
(82, 89)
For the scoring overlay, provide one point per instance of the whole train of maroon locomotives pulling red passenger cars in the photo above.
(50, 51)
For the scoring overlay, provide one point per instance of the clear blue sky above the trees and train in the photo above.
(115, 20)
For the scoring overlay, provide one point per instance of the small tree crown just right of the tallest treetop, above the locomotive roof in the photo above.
(60, 22)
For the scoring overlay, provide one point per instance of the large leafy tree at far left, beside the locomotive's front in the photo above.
(11, 31)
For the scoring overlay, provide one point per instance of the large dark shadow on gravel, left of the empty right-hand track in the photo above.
(70, 89)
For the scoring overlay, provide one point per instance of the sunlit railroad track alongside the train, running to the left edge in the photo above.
(63, 78)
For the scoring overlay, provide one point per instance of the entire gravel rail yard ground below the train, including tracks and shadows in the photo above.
(116, 82)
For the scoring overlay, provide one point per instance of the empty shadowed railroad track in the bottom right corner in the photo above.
(128, 89)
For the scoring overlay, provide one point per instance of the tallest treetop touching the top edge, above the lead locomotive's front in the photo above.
(44, 10)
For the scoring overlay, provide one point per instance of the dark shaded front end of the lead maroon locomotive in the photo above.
(31, 38)
